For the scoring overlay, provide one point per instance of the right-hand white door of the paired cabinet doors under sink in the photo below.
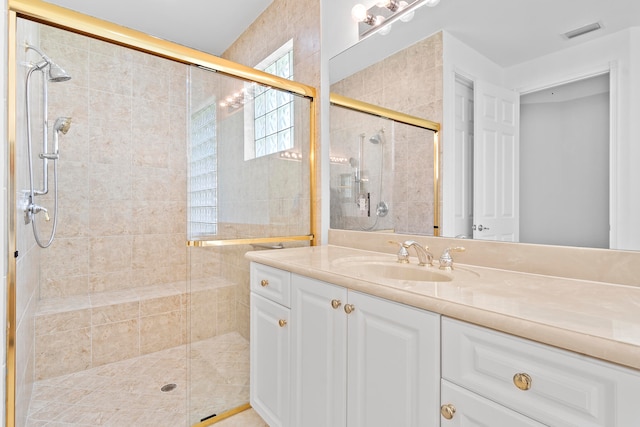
(393, 364)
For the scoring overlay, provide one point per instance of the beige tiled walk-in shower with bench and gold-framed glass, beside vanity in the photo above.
(137, 313)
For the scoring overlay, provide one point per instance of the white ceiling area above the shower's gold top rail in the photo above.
(207, 25)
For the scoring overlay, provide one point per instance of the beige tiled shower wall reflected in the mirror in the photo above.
(381, 84)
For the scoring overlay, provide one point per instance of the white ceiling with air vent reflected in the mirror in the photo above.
(510, 32)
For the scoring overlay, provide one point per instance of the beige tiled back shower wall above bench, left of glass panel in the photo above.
(122, 169)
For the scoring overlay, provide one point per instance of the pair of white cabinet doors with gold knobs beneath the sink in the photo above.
(361, 361)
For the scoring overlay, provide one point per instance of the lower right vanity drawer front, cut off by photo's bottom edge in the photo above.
(472, 410)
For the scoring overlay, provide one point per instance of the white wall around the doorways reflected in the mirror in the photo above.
(618, 53)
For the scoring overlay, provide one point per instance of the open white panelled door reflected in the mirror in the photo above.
(496, 163)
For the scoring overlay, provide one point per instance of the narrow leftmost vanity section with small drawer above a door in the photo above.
(270, 348)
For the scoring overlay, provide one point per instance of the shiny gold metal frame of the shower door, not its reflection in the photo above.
(75, 22)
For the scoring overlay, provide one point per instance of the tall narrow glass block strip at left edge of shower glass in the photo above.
(203, 173)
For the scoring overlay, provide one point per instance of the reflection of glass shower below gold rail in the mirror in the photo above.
(382, 173)
